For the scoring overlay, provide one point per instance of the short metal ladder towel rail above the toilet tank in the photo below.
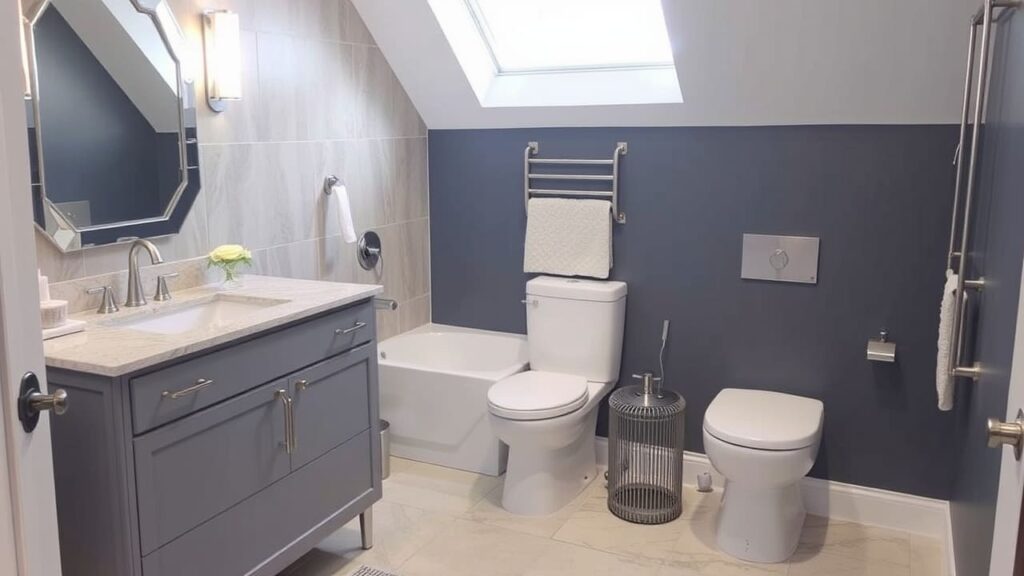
(530, 177)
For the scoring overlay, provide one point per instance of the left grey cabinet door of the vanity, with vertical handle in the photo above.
(193, 470)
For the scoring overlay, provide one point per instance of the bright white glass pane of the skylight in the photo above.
(530, 36)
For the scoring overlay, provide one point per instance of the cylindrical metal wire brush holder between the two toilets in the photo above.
(646, 452)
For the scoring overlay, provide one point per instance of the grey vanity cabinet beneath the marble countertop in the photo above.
(240, 477)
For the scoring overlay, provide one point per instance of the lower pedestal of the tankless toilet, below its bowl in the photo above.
(760, 524)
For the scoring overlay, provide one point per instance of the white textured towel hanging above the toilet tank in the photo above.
(569, 237)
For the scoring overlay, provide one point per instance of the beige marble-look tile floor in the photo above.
(437, 521)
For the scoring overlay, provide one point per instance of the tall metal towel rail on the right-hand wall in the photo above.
(984, 18)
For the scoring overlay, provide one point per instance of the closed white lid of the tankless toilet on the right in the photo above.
(769, 421)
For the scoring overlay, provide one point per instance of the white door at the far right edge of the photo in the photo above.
(1008, 507)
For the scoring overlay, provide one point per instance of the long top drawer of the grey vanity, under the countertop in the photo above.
(176, 392)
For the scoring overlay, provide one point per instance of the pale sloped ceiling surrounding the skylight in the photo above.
(740, 63)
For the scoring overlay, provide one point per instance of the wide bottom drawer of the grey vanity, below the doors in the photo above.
(254, 531)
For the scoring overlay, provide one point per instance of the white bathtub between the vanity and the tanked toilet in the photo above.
(435, 384)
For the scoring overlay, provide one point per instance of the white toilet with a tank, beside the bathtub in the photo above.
(548, 416)
